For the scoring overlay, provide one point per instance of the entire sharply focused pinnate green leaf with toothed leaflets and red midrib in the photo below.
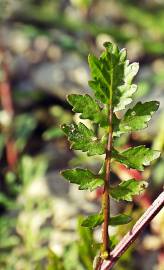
(112, 77)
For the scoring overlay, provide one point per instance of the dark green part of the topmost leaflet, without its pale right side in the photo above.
(106, 71)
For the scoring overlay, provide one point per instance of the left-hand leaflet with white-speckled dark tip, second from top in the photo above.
(84, 139)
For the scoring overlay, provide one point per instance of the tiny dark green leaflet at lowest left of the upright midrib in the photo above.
(93, 221)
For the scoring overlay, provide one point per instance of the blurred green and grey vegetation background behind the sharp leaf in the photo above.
(43, 56)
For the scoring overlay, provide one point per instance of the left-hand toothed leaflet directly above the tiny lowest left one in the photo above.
(83, 177)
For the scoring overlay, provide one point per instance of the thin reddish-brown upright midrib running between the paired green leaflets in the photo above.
(106, 200)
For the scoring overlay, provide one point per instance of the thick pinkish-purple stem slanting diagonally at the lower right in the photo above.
(130, 237)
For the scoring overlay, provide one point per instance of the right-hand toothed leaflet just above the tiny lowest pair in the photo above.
(127, 189)
